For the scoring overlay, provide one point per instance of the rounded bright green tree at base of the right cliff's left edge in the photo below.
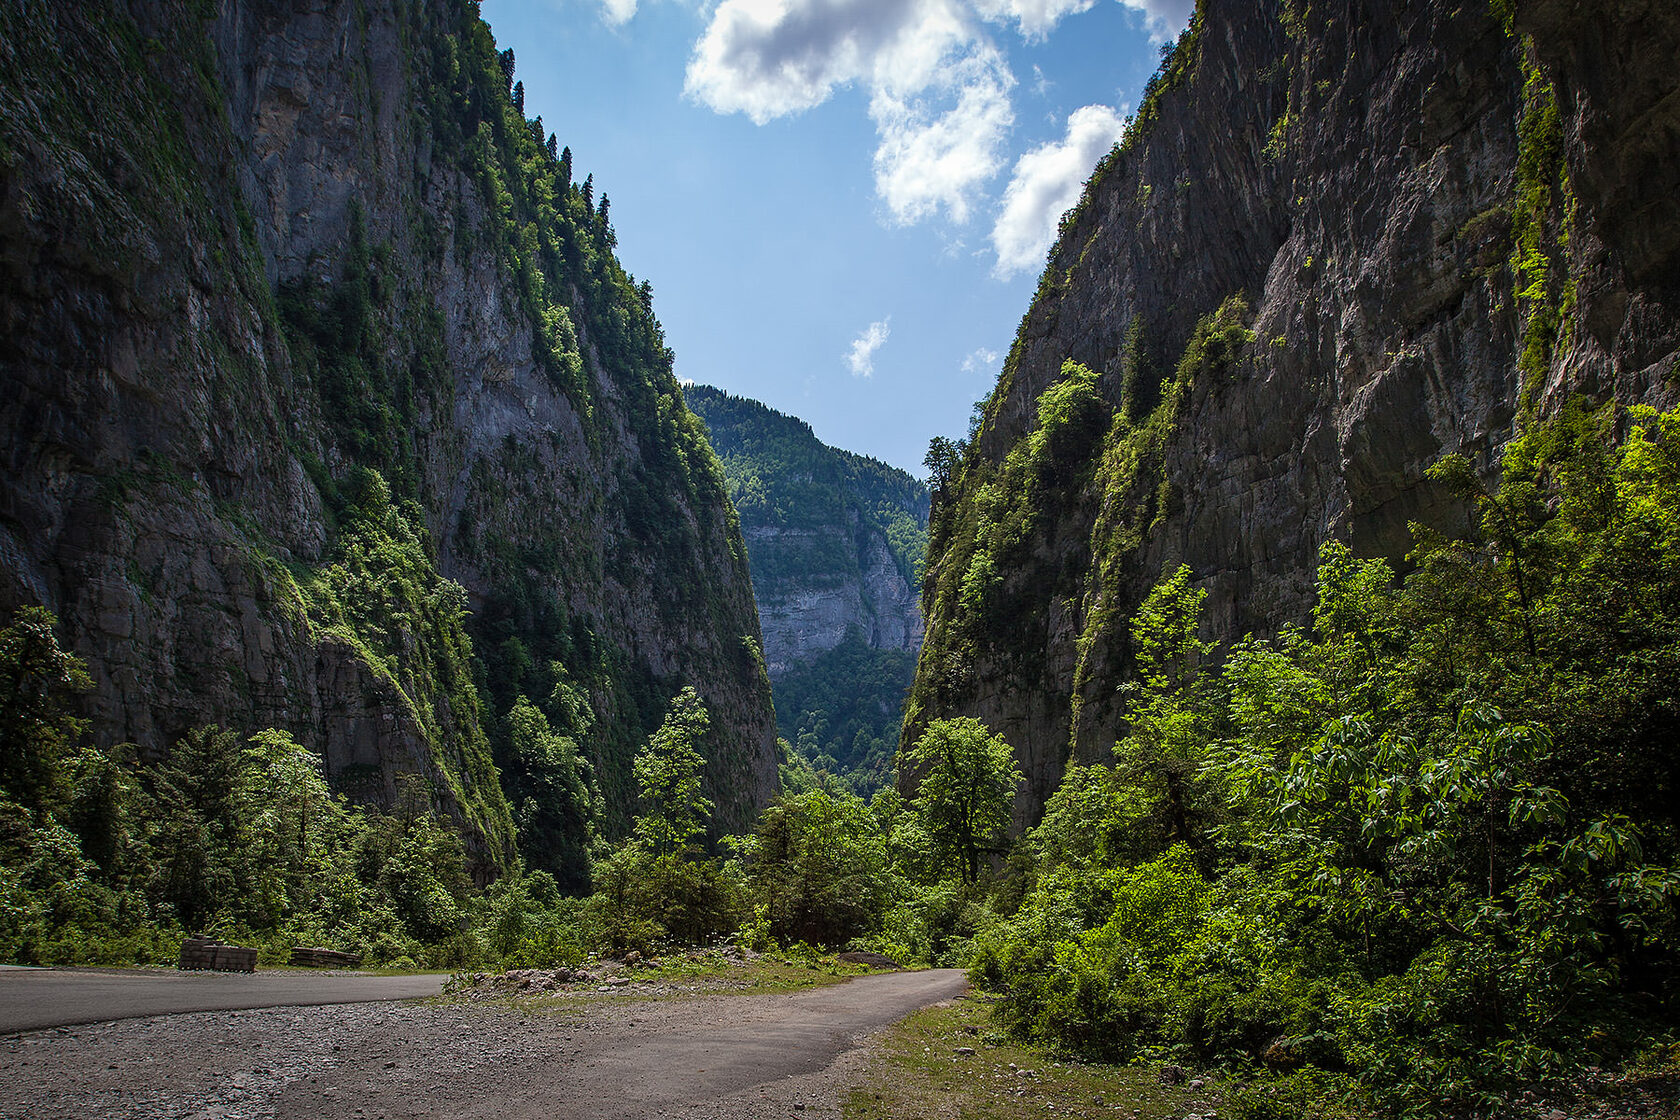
(967, 788)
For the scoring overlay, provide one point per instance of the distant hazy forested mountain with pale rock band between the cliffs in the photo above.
(836, 543)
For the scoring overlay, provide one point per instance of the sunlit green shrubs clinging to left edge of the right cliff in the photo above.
(995, 523)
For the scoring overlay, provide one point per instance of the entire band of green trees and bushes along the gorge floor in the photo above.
(1424, 850)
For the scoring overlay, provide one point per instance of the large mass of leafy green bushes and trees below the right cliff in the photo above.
(1429, 844)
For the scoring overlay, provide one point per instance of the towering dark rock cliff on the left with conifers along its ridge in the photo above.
(318, 365)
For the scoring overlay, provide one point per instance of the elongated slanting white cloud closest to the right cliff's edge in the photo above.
(1047, 181)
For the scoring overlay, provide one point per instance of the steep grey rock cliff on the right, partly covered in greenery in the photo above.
(1340, 243)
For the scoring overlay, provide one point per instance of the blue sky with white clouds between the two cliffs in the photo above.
(843, 206)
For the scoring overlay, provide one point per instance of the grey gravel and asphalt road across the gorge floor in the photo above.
(703, 1059)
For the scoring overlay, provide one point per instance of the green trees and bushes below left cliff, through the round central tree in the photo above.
(112, 859)
